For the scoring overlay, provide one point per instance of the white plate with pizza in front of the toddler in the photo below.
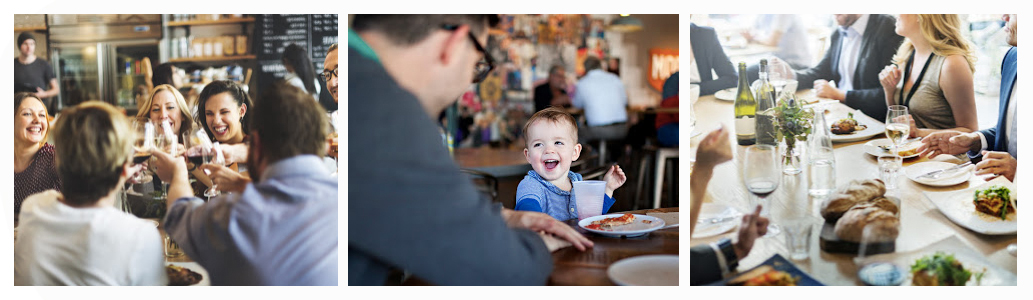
(621, 225)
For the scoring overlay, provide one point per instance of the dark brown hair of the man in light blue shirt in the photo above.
(289, 124)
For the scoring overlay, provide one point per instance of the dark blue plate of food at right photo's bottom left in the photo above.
(774, 272)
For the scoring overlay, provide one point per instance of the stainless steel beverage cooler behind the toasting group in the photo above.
(100, 57)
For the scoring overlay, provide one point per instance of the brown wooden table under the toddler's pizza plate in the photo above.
(573, 267)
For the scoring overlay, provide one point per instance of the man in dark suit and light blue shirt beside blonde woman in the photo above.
(860, 89)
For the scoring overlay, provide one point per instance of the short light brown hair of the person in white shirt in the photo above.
(93, 142)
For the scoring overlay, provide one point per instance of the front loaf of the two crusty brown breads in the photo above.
(886, 226)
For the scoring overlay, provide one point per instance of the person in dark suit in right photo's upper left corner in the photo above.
(707, 50)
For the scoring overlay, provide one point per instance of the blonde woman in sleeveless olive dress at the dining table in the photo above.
(932, 75)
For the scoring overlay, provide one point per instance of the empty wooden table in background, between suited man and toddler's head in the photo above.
(497, 162)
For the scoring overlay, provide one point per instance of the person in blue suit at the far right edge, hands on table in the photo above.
(996, 148)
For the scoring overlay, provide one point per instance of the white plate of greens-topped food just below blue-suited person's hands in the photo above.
(991, 208)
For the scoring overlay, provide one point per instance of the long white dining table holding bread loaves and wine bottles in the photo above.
(922, 225)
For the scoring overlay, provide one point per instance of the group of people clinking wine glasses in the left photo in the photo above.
(275, 226)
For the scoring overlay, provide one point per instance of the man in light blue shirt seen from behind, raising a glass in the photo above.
(280, 230)
